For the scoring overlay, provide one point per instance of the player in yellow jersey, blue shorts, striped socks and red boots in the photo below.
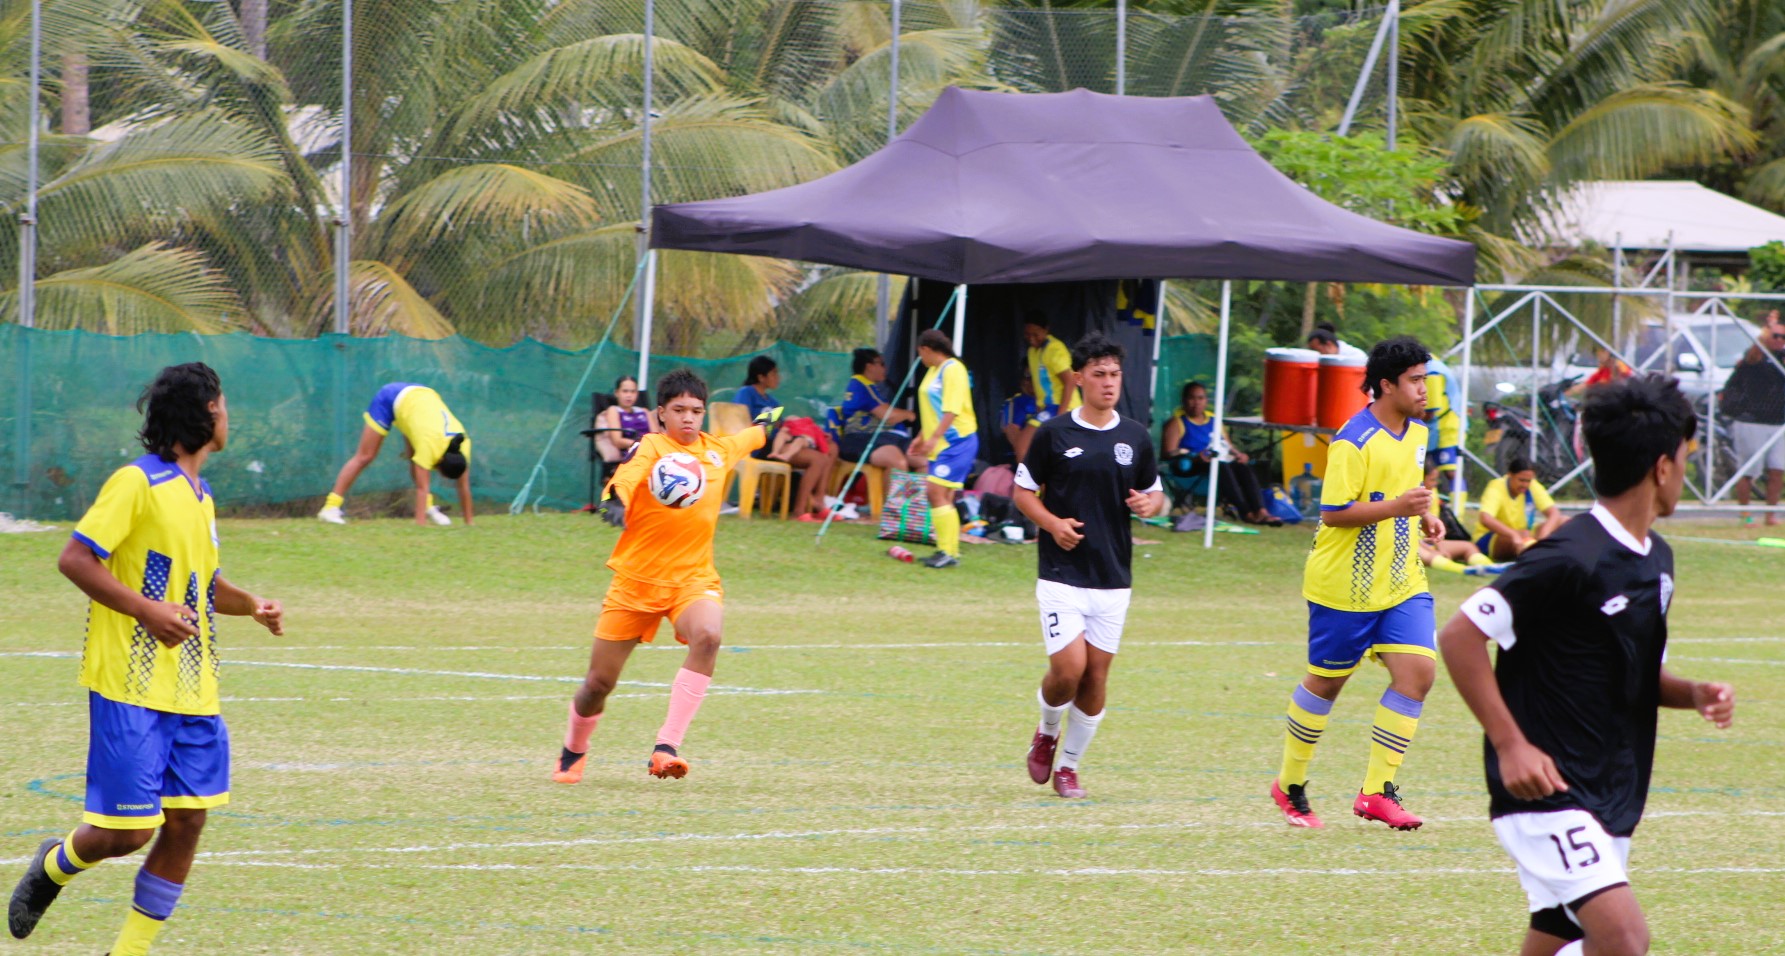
(1366, 588)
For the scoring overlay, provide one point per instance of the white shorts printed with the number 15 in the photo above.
(1563, 855)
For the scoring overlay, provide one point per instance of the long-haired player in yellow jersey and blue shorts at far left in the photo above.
(158, 752)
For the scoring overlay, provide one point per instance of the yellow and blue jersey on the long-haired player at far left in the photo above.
(156, 532)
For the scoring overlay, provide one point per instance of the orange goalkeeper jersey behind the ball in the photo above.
(674, 547)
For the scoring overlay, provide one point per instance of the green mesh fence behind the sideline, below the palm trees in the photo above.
(295, 408)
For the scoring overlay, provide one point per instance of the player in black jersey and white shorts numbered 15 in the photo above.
(1570, 707)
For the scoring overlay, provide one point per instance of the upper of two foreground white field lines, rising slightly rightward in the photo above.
(849, 832)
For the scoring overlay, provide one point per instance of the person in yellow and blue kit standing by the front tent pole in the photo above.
(949, 436)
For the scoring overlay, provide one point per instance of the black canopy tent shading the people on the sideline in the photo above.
(1009, 188)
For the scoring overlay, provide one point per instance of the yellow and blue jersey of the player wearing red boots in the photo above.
(1372, 568)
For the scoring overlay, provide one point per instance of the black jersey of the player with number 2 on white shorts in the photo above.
(1088, 474)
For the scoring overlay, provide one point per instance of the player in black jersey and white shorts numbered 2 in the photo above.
(1084, 474)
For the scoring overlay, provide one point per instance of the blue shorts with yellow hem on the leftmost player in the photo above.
(142, 762)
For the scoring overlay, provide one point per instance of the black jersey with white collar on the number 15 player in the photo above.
(1582, 630)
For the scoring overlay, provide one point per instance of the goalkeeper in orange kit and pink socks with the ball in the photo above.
(663, 568)
